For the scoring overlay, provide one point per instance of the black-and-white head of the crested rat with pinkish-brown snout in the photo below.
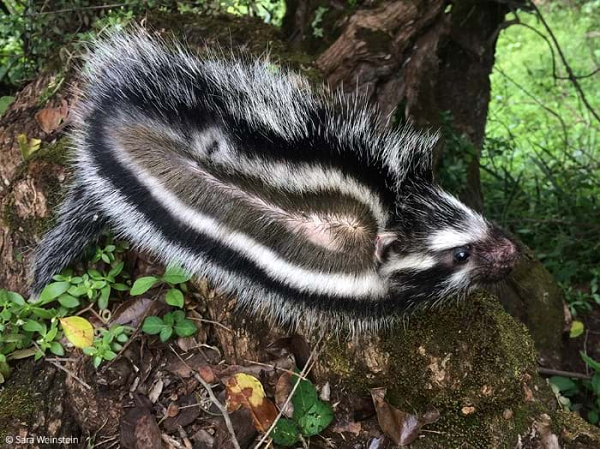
(434, 245)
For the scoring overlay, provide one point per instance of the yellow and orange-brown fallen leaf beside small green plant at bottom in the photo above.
(244, 390)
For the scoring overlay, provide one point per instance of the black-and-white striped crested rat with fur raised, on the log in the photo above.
(296, 200)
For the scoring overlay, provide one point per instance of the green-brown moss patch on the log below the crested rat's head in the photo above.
(470, 361)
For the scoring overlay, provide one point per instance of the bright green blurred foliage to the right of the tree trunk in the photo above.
(541, 164)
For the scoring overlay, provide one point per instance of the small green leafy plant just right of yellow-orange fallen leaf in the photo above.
(311, 416)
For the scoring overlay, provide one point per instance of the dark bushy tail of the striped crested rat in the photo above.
(79, 223)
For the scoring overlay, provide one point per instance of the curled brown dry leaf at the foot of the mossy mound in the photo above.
(401, 427)
